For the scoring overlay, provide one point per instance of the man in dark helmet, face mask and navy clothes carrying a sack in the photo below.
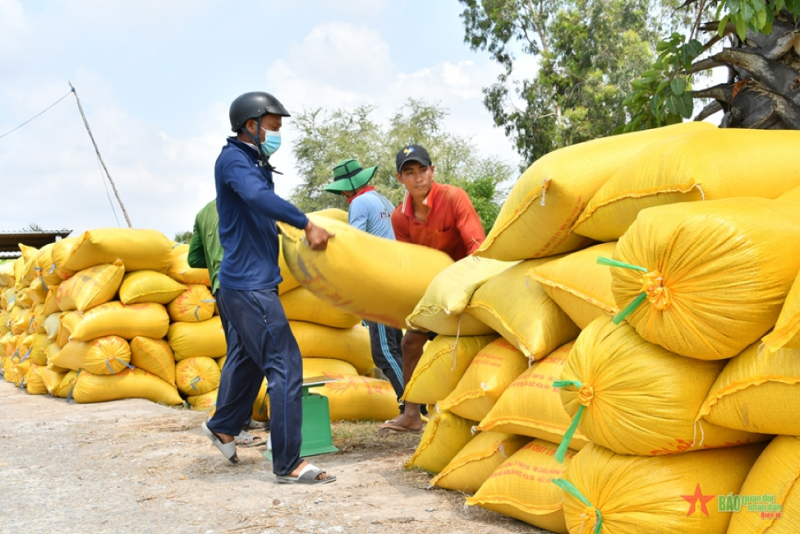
(247, 297)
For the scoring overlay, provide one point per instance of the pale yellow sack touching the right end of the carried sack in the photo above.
(442, 306)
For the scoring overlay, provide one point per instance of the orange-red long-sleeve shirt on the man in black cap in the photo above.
(452, 226)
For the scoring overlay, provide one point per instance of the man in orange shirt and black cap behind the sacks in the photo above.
(437, 216)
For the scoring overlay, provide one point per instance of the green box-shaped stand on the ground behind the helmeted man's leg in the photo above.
(316, 429)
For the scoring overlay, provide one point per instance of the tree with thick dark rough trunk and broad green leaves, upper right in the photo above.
(759, 43)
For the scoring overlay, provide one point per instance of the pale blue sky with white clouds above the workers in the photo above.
(156, 79)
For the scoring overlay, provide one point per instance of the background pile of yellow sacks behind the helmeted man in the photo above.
(118, 313)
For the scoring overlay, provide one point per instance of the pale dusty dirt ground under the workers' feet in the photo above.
(135, 466)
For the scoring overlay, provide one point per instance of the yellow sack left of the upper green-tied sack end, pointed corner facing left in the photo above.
(579, 285)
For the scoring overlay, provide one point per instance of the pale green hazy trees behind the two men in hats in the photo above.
(327, 137)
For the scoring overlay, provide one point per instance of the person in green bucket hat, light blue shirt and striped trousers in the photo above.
(371, 212)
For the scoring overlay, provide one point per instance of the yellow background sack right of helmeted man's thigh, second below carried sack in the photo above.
(348, 344)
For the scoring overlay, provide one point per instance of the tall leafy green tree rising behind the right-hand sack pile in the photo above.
(588, 52)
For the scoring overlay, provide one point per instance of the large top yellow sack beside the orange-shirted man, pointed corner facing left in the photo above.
(537, 217)
